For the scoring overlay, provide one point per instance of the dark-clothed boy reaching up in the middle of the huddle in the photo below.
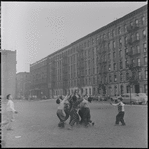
(74, 117)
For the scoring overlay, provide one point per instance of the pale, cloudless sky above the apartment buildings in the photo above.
(37, 29)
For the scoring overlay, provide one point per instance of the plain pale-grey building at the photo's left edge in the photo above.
(8, 60)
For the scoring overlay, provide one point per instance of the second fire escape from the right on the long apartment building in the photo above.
(103, 66)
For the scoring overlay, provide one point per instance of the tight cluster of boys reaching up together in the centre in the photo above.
(76, 107)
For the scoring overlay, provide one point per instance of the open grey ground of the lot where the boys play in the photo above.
(36, 126)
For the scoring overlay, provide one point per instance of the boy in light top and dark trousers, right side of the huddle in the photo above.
(84, 112)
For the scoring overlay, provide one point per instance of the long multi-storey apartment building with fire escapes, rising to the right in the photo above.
(106, 61)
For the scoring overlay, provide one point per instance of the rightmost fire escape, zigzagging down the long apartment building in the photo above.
(131, 55)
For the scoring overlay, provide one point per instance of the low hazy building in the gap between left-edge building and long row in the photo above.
(22, 85)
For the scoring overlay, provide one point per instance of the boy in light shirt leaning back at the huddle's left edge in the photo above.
(63, 110)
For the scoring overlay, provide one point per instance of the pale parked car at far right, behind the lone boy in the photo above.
(135, 98)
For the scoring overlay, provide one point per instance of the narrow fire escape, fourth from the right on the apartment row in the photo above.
(65, 73)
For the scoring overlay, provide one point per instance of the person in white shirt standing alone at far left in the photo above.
(10, 111)
